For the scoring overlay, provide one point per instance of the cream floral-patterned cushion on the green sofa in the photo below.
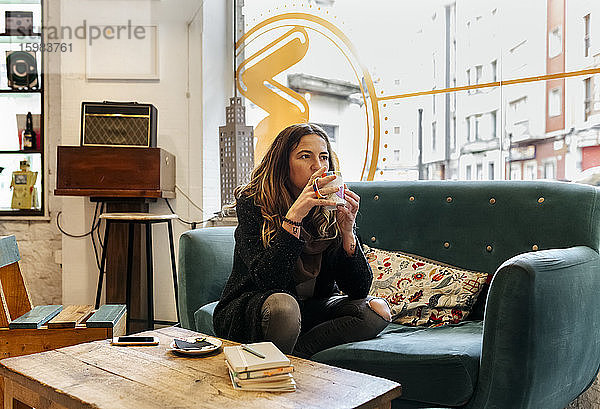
(423, 292)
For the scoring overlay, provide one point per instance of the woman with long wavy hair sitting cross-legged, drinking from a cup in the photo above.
(292, 256)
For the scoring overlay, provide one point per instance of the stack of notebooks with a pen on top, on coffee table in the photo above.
(259, 367)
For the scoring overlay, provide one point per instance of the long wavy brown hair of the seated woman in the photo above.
(269, 184)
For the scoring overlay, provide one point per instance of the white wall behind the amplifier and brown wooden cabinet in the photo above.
(190, 95)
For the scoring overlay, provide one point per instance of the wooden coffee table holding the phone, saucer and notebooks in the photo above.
(98, 375)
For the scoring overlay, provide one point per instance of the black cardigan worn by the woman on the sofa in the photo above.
(258, 272)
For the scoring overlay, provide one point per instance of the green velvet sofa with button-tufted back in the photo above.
(532, 340)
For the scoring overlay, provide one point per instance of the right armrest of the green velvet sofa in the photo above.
(540, 341)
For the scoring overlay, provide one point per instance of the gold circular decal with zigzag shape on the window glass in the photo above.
(255, 78)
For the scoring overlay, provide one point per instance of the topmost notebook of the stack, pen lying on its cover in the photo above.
(241, 360)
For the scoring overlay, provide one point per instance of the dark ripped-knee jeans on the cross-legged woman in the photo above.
(318, 324)
